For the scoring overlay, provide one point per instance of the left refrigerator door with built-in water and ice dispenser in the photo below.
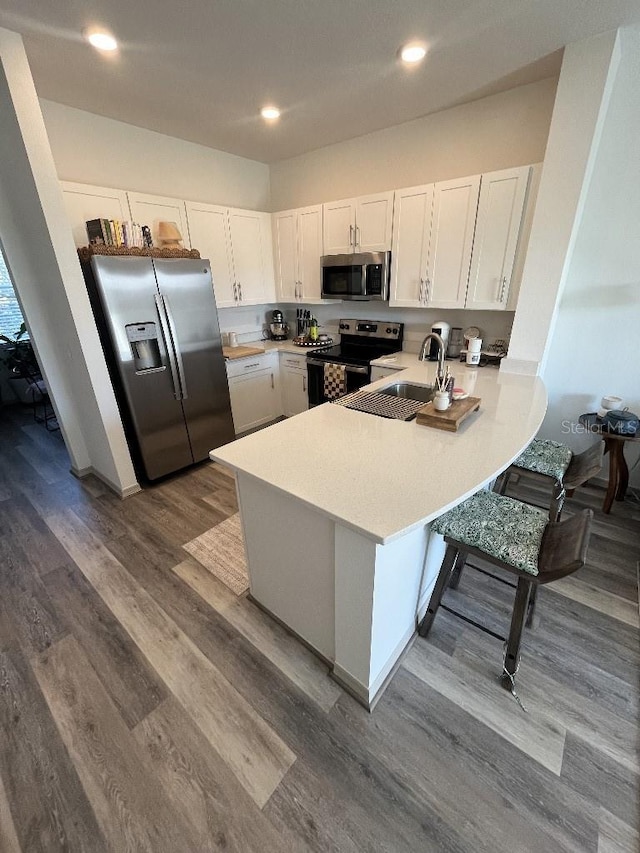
(143, 360)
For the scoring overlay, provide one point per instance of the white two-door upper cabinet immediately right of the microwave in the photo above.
(432, 241)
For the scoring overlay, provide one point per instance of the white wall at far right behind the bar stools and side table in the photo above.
(595, 346)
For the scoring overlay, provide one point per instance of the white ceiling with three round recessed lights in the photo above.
(201, 70)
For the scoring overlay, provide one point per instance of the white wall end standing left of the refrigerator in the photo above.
(43, 264)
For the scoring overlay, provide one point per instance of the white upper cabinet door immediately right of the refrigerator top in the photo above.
(209, 234)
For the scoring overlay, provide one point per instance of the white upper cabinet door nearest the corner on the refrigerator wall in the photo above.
(247, 237)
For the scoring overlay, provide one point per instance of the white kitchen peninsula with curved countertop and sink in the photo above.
(336, 508)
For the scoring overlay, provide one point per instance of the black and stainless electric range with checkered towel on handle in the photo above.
(361, 342)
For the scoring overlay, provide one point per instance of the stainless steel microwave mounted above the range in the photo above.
(360, 276)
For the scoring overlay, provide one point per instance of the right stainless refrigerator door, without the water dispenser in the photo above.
(187, 291)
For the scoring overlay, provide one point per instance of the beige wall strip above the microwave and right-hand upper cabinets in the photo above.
(509, 129)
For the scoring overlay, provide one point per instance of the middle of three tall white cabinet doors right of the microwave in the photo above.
(452, 224)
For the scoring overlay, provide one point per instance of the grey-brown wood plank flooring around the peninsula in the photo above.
(145, 707)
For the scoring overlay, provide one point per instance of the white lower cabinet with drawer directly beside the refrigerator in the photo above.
(254, 389)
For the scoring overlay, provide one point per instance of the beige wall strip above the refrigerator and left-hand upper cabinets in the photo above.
(91, 149)
